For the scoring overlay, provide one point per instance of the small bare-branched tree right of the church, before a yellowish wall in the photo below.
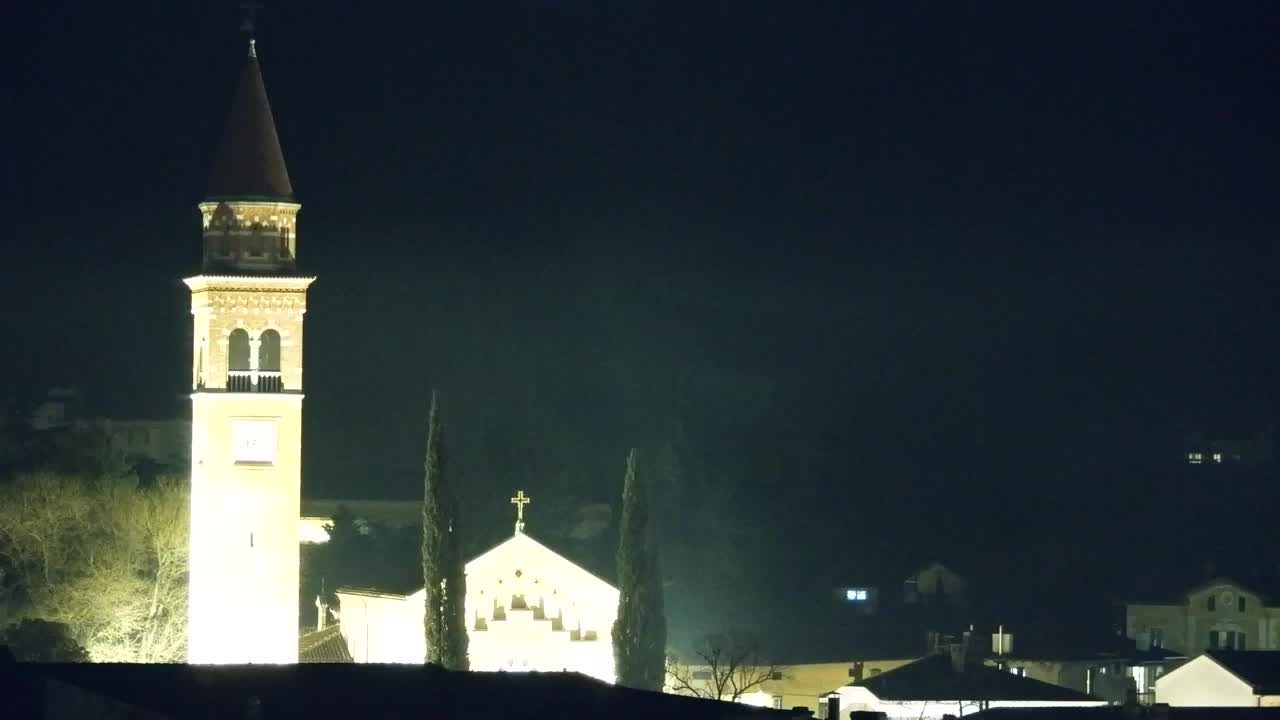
(723, 667)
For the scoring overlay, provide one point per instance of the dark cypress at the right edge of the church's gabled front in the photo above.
(641, 631)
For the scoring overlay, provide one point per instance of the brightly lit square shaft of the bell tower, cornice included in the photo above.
(245, 489)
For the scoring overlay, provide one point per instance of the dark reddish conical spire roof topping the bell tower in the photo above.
(250, 165)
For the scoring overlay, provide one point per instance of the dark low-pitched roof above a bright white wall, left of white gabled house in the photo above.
(935, 678)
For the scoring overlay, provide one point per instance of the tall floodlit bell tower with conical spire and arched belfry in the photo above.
(246, 421)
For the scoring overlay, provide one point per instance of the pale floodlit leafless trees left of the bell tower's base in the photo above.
(107, 558)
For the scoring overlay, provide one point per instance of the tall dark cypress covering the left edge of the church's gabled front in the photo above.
(444, 576)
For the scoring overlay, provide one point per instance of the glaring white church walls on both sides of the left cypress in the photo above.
(528, 609)
